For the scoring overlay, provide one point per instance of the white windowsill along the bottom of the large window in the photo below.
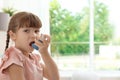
(103, 75)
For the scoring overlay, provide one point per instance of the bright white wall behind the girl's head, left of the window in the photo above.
(38, 7)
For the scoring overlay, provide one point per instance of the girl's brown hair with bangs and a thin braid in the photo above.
(20, 20)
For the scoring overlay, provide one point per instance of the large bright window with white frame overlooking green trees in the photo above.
(85, 37)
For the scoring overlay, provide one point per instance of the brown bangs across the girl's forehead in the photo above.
(31, 21)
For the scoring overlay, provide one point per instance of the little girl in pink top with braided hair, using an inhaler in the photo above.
(19, 62)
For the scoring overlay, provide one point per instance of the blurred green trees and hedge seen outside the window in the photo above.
(66, 27)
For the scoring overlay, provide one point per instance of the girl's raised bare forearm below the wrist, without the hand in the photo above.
(53, 73)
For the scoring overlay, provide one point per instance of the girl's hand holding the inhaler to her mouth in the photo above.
(43, 44)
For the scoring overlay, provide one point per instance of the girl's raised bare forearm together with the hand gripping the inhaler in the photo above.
(50, 69)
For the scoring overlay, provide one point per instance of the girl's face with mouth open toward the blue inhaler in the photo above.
(23, 38)
